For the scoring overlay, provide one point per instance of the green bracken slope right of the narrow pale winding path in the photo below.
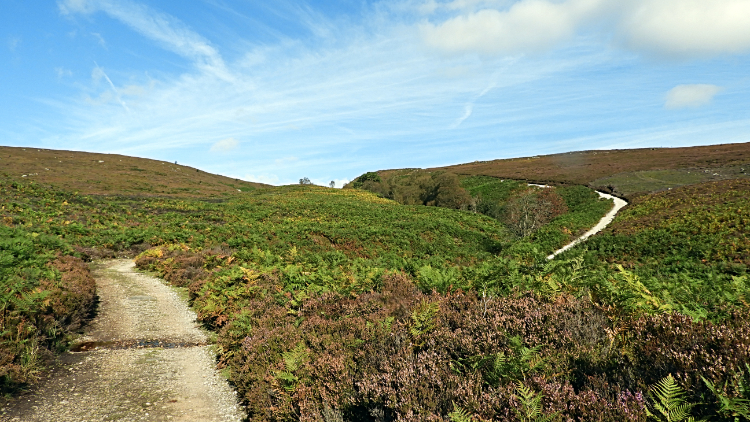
(690, 245)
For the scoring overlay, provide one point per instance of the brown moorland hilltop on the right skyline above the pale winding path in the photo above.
(629, 173)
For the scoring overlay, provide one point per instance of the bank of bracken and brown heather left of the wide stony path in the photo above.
(43, 299)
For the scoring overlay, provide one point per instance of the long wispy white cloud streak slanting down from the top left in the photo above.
(171, 33)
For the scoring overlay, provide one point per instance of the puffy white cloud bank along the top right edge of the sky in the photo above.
(672, 28)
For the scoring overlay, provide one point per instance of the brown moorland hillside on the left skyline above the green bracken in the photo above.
(112, 174)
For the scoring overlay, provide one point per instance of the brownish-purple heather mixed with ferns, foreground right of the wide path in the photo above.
(393, 351)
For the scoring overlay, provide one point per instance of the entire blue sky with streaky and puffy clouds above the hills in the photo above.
(277, 91)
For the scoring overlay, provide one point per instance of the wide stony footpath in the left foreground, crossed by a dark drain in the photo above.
(143, 358)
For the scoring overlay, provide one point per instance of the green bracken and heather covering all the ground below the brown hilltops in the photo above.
(345, 305)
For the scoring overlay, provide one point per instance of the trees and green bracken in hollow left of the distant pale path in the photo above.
(543, 219)
